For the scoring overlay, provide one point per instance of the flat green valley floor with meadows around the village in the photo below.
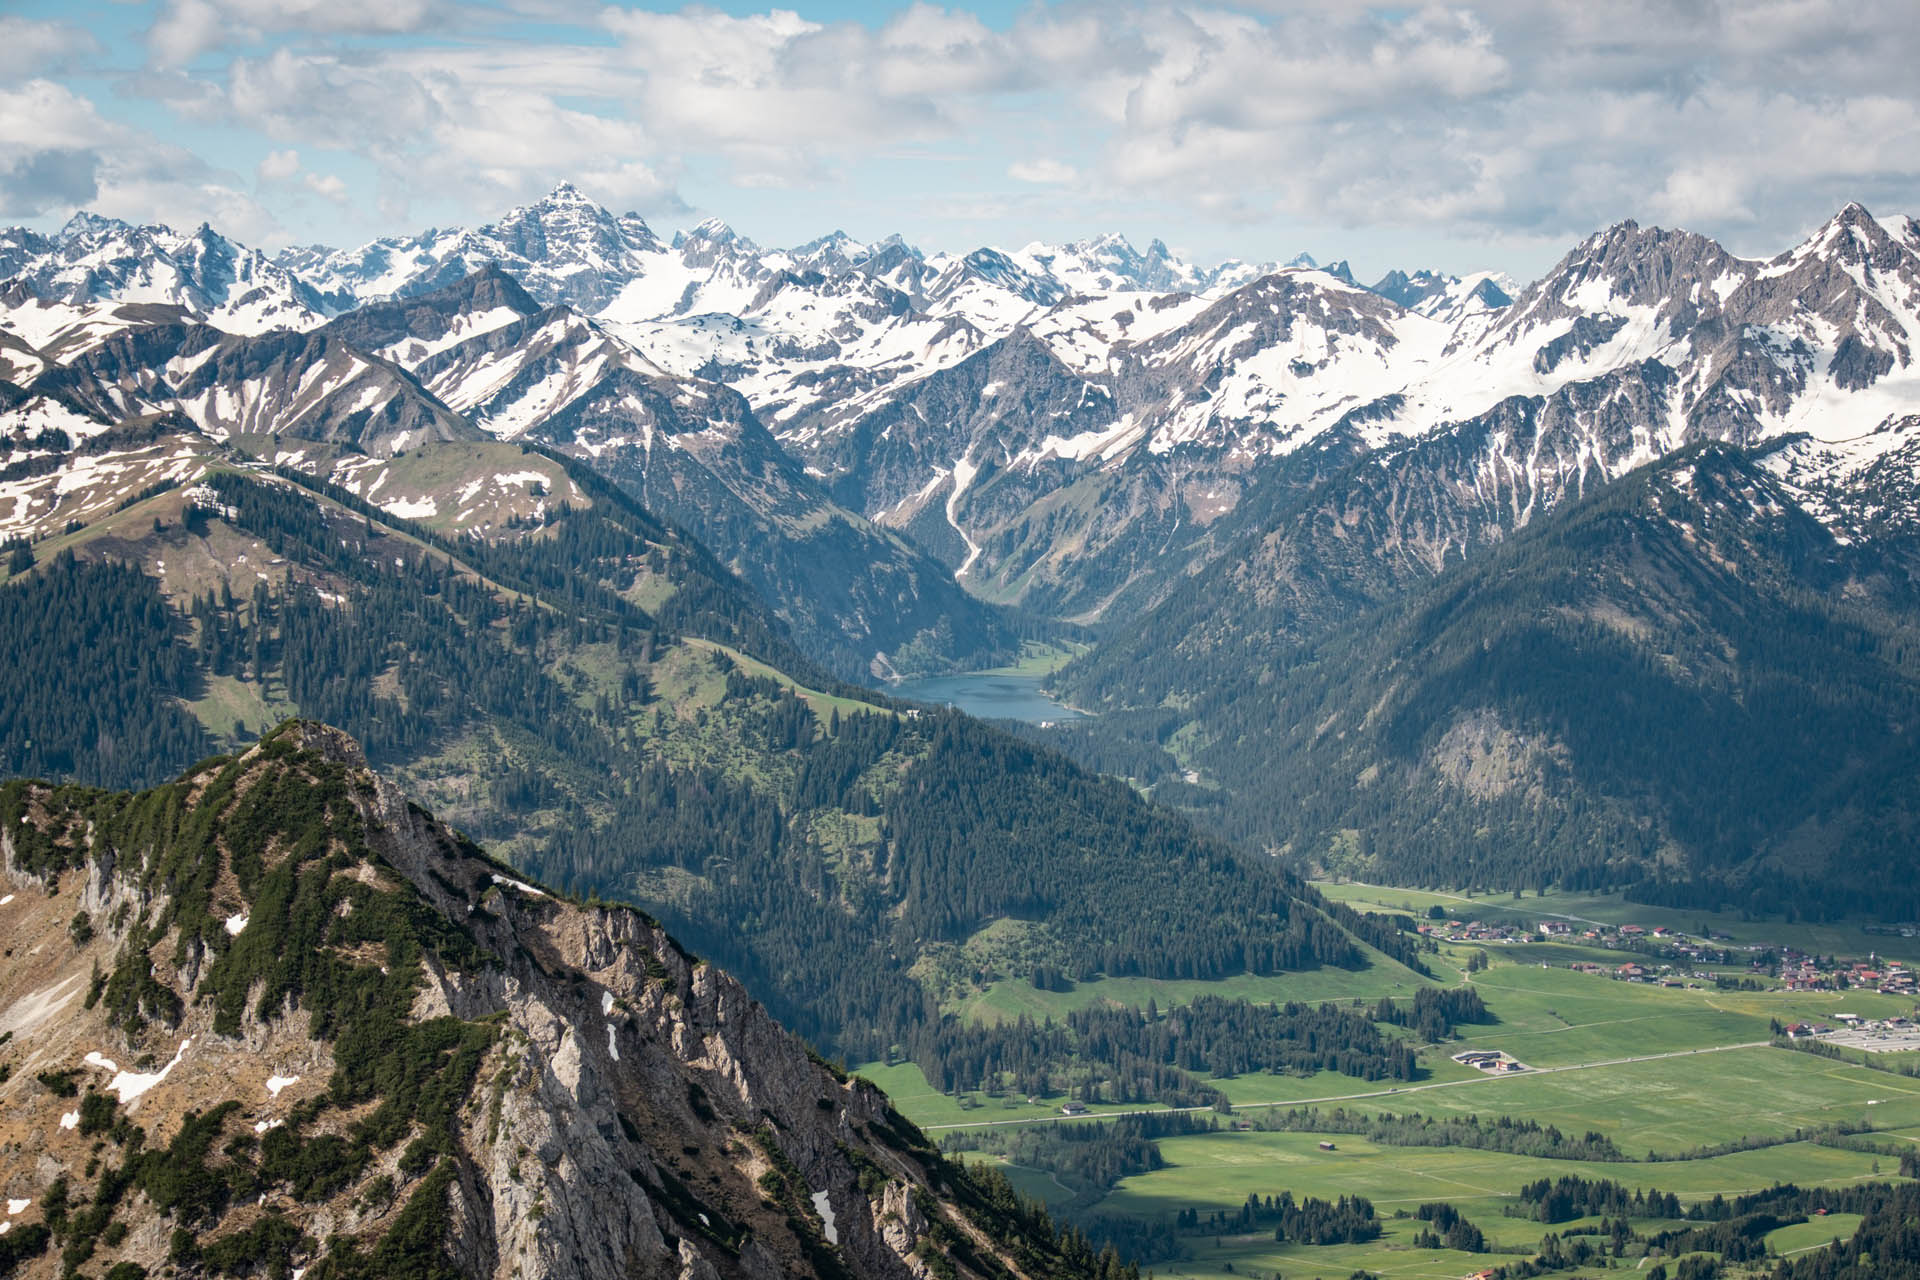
(1687, 1074)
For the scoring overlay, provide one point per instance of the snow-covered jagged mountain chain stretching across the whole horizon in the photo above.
(1072, 406)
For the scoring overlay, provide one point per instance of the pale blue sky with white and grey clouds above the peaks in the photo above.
(1485, 135)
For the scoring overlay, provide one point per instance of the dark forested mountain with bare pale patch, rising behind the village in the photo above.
(1683, 684)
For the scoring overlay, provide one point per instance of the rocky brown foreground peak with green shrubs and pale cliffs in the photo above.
(276, 1020)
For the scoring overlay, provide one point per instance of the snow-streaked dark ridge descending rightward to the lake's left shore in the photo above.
(857, 598)
